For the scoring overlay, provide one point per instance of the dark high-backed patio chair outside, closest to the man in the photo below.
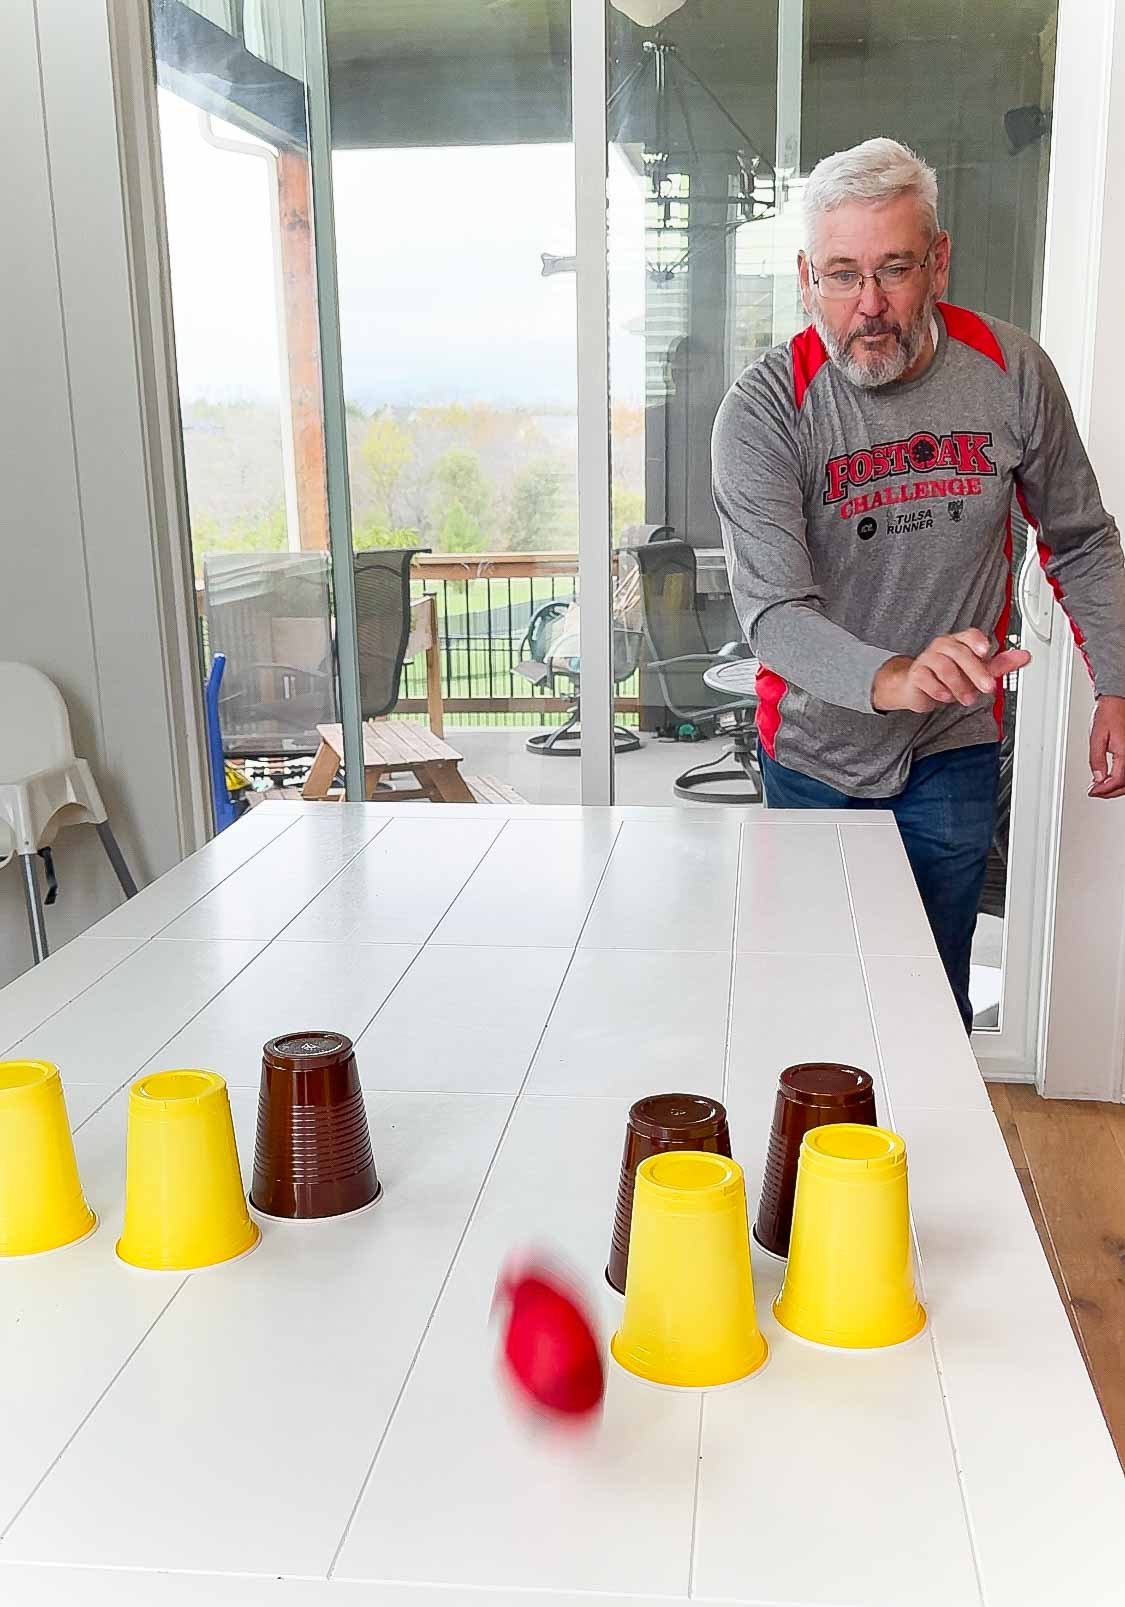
(684, 637)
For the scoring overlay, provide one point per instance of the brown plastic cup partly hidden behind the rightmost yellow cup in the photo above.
(811, 1095)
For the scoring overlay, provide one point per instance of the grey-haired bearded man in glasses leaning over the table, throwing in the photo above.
(864, 478)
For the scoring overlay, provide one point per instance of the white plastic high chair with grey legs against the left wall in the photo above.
(44, 787)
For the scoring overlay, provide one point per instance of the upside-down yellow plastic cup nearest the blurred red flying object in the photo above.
(690, 1317)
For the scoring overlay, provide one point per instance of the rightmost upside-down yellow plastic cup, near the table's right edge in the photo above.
(851, 1278)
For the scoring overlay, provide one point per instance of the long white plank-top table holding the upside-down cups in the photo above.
(321, 1423)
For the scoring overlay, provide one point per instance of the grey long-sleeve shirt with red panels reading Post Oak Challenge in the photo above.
(862, 525)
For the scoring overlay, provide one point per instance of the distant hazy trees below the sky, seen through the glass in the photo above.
(456, 478)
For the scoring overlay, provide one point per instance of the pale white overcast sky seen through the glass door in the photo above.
(440, 272)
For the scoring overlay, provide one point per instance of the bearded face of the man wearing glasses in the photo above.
(875, 333)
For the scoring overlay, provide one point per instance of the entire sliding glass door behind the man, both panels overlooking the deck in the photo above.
(459, 290)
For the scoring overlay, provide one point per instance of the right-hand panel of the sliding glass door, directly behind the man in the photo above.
(716, 115)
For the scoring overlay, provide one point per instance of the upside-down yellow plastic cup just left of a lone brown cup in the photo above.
(186, 1206)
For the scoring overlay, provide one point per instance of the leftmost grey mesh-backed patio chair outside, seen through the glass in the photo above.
(271, 618)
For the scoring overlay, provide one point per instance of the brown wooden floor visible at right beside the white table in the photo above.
(1070, 1156)
